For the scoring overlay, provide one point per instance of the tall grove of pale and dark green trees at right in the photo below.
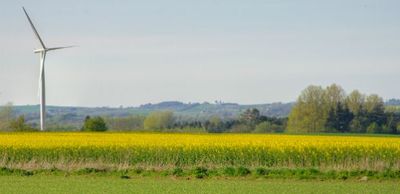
(329, 109)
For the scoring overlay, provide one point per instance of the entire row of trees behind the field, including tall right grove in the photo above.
(316, 110)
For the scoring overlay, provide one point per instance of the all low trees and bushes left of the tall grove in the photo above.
(249, 121)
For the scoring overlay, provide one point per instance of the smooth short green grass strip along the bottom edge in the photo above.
(96, 184)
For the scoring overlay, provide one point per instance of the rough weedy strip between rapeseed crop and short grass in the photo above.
(226, 172)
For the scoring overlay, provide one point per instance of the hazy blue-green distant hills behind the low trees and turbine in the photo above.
(65, 115)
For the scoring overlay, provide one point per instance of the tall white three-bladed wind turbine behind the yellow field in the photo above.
(42, 89)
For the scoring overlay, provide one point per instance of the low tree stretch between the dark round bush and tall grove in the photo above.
(249, 121)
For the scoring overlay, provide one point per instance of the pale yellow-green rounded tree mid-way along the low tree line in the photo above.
(159, 120)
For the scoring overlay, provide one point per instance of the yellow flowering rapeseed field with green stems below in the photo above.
(147, 149)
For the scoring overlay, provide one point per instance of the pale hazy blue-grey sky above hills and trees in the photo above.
(255, 51)
